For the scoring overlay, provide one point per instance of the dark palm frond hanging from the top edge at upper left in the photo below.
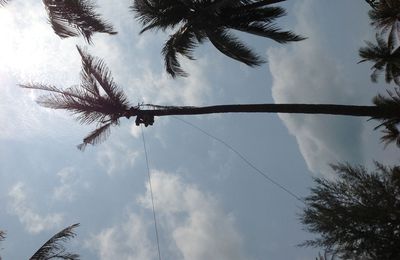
(70, 18)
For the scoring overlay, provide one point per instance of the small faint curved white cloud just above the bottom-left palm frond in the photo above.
(21, 207)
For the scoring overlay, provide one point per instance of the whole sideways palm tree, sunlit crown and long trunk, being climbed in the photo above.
(98, 100)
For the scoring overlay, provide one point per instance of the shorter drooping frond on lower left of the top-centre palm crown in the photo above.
(182, 42)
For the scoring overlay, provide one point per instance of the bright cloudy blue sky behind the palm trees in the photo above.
(210, 203)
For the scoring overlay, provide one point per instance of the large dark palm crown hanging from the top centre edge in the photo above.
(213, 20)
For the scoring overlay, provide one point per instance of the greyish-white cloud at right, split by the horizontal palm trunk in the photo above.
(310, 73)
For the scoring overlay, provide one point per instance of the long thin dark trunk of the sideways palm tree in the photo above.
(326, 109)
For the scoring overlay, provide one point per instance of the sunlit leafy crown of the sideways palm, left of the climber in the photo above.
(96, 100)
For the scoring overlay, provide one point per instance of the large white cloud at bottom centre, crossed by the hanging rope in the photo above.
(192, 222)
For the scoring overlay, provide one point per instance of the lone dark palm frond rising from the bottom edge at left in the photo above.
(54, 247)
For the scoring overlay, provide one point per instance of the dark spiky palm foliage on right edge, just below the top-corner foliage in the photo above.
(384, 60)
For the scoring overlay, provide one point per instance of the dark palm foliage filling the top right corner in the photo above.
(385, 17)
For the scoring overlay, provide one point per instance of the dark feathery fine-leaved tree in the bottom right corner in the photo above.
(358, 214)
